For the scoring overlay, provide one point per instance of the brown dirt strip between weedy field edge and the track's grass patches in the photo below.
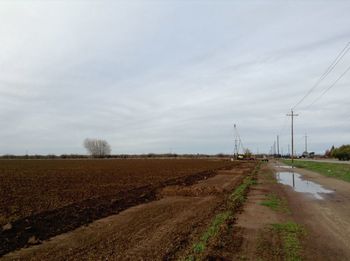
(240, 239)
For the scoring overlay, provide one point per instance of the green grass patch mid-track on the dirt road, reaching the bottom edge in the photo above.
(290, 233)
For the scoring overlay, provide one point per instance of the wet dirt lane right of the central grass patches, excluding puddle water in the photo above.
(327, 220)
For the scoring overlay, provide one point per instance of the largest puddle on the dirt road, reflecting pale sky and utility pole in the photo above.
(300, 185)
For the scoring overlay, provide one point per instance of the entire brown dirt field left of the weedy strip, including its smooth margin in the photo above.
(116, 186)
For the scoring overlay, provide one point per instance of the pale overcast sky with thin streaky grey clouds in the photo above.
(171, 76)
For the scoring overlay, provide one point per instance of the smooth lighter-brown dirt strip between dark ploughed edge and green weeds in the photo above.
(152, 231)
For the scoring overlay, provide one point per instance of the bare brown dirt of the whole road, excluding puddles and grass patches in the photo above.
(326, 222)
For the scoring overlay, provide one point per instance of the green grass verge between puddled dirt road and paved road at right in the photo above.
(335, 170)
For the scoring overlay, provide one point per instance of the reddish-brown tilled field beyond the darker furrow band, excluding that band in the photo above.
(29, 187)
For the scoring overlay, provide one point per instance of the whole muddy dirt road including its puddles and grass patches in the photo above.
(316, 204)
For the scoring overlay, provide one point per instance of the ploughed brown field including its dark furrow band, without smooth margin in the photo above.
(43, 198)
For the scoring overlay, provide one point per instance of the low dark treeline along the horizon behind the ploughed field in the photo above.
(118, 156)
